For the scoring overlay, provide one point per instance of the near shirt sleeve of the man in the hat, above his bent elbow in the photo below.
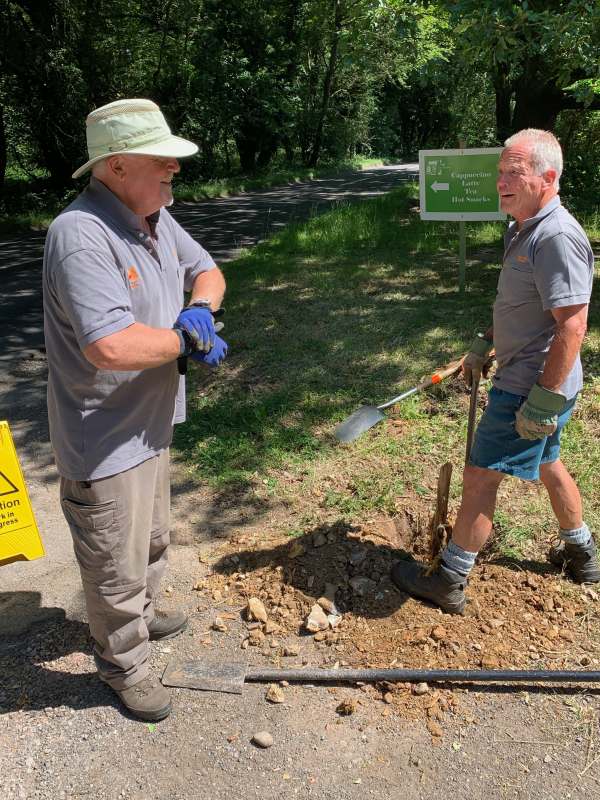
(91, 292)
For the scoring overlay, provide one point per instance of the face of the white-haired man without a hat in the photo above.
(522, 193)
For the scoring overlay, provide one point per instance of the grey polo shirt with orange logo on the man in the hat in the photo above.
(101, 274)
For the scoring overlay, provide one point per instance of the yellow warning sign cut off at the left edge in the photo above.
(19, 536)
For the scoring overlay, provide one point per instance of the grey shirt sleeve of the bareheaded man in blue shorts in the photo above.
(562, 271)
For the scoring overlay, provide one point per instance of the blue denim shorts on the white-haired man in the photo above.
(498, 446)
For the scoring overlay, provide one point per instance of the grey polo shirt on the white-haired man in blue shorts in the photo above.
(548, 263)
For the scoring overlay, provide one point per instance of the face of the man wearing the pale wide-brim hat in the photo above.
(145, 183)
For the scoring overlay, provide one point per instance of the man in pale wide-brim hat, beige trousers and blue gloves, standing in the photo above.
(116, 265)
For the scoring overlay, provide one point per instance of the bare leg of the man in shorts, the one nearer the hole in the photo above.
(474, 521)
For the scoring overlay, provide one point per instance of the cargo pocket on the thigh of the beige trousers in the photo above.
(94, 536)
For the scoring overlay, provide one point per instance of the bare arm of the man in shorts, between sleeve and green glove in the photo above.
(571, 325)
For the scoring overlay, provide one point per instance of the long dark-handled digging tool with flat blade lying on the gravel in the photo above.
(229, 677)
